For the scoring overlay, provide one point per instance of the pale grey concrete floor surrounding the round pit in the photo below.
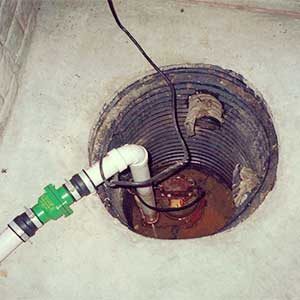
(78, 59)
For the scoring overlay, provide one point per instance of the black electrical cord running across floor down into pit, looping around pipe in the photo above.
(186, 157)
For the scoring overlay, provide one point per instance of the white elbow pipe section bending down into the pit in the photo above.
(118, 160)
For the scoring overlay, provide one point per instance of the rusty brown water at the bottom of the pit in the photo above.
(212, 212)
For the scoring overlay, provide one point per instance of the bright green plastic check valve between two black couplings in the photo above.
(53, 204)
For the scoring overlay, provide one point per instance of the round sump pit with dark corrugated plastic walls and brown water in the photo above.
(230, 136)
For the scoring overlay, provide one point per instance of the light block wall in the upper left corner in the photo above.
(17, 22)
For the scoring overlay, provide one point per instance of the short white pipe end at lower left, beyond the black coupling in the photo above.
(9, 241)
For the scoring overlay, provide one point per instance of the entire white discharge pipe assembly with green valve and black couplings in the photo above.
(56, 202)
